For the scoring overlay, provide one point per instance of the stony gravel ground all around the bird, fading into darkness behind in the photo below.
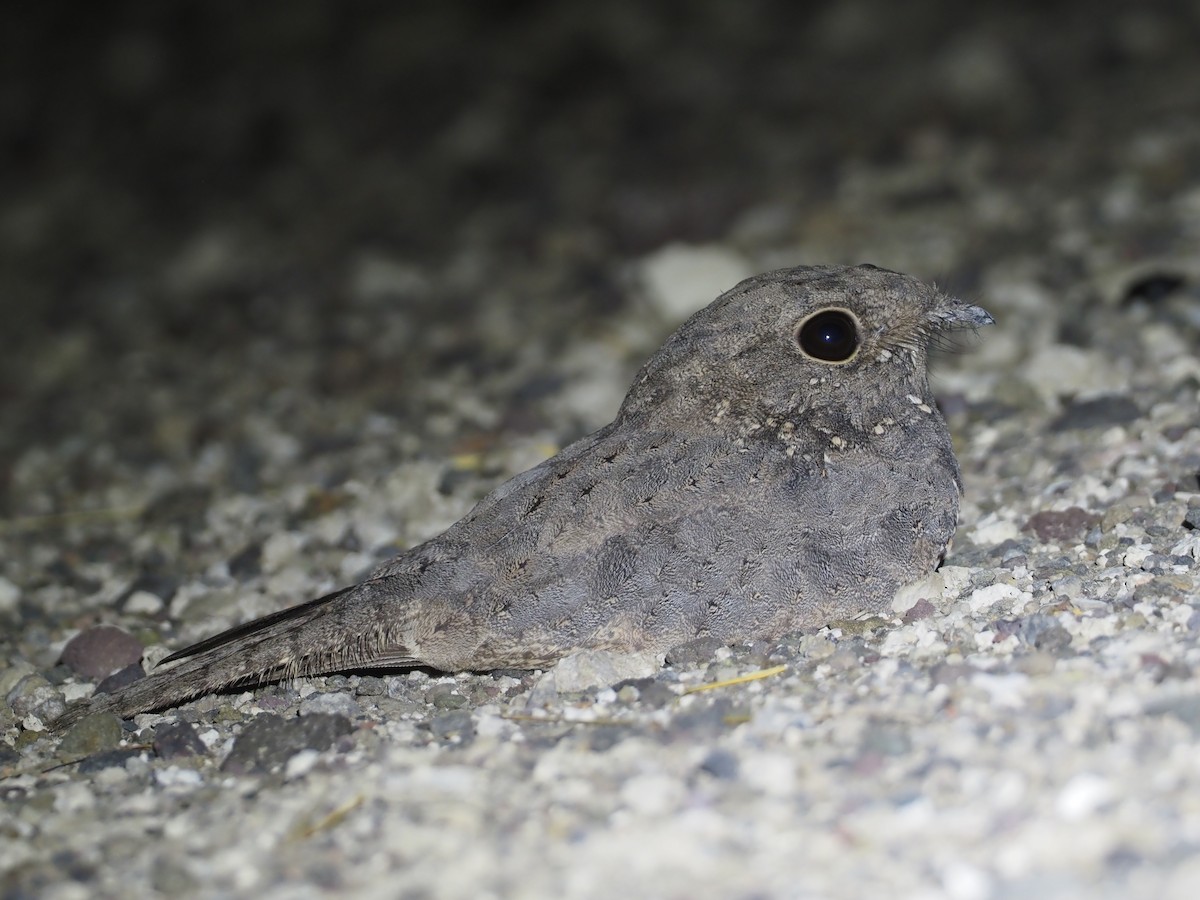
(286, 291)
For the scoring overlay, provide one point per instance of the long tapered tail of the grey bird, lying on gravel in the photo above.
(323, 635)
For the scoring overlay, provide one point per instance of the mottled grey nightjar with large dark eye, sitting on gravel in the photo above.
(746, 489)
